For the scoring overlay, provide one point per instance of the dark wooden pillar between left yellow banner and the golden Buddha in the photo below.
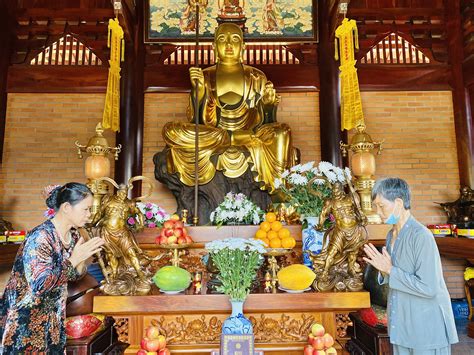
(130, 161)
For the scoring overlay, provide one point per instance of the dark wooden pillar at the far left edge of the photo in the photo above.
(5, 54)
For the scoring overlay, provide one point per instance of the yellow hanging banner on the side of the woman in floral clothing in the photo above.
(111, 116)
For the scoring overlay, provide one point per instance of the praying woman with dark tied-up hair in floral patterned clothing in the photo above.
(32, 309)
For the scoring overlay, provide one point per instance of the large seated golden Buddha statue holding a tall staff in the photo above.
(237, 121)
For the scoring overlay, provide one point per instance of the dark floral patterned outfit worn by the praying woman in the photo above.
(33, 306)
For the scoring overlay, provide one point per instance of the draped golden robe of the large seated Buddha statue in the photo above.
(241, 136)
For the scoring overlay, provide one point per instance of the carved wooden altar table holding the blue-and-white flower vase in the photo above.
(192, 323)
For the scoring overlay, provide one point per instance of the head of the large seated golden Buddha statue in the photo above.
(229, 44)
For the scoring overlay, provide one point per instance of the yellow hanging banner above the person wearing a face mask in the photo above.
(351, 103)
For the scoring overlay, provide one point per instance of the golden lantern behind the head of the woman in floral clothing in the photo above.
(97, 164)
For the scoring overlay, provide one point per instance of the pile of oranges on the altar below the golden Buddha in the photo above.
(273, 234)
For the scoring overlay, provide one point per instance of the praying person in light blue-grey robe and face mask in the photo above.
(421, 320)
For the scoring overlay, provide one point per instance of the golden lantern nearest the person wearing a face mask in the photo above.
(363, 168)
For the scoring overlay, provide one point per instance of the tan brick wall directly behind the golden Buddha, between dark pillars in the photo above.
(299, 110)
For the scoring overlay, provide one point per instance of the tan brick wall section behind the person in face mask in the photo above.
(420, 145)
